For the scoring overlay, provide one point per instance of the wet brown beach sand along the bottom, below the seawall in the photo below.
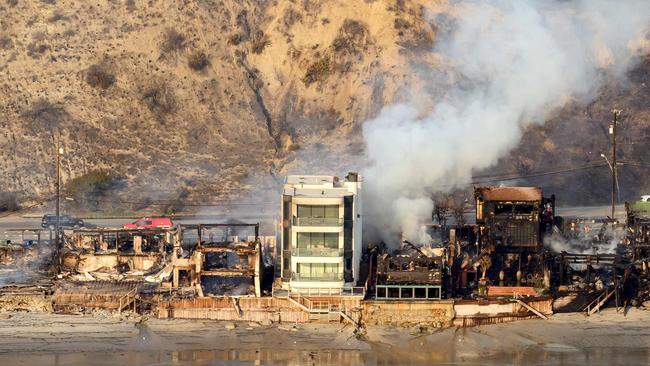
(608, 338)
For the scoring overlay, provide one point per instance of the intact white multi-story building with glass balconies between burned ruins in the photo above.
(321, 232)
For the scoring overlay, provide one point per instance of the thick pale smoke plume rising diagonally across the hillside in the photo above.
(517, 60)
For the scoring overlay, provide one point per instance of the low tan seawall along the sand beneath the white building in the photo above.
(443, 313)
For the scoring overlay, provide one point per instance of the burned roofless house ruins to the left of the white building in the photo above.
(136, 269)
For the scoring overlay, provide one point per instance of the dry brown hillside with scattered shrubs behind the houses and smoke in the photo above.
(192, 101)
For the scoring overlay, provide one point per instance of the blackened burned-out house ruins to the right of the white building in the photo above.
(519, 247)
